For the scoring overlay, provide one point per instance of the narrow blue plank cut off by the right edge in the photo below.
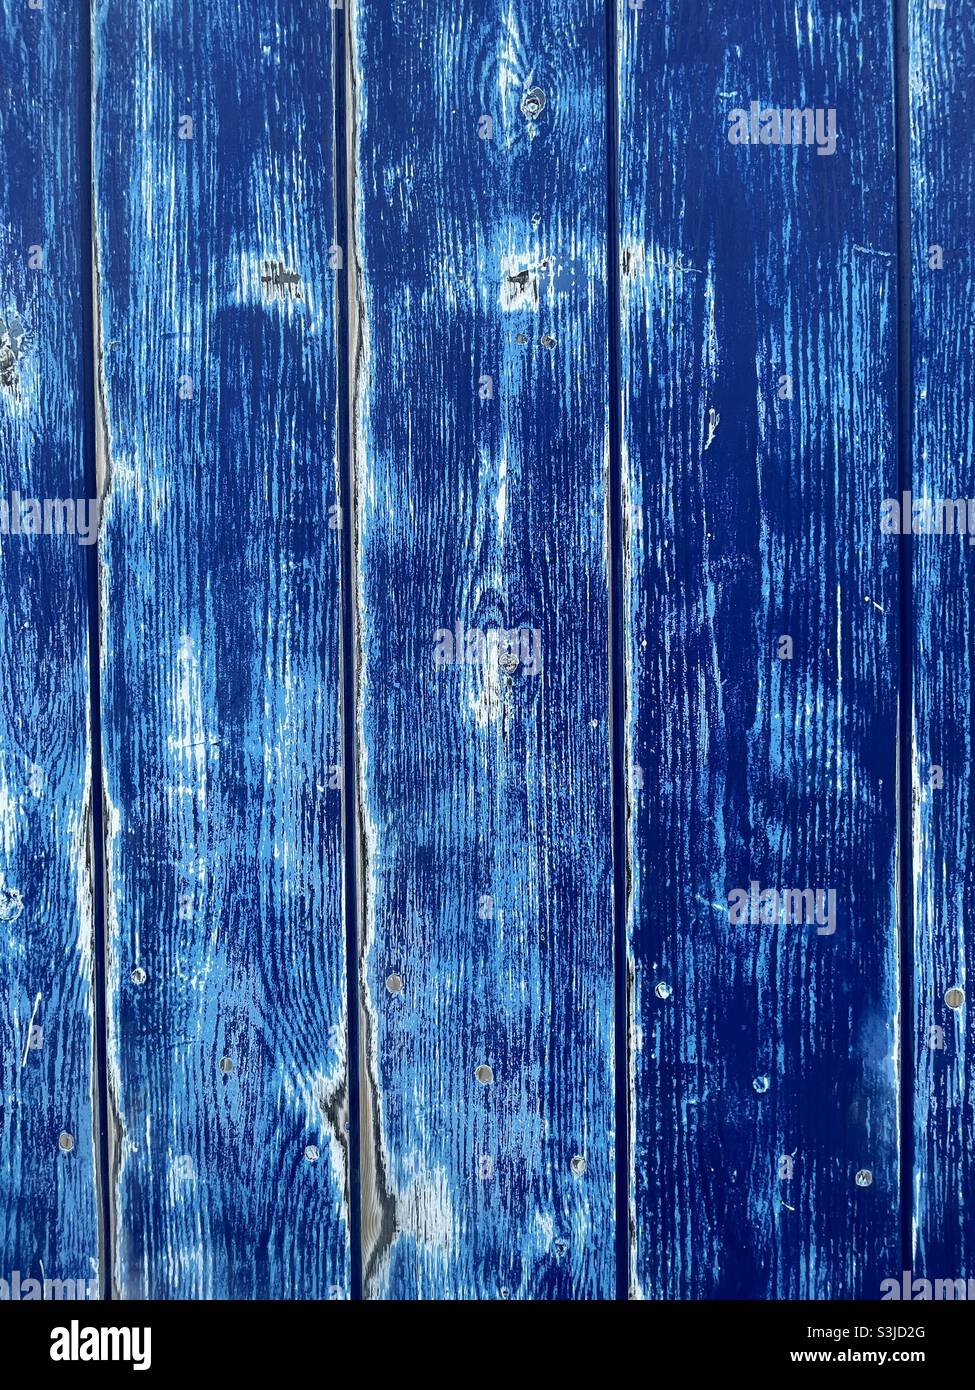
(942, 45)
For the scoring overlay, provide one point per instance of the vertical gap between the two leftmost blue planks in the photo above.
(97, 790)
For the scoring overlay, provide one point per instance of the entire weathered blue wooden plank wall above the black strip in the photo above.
(760, 418)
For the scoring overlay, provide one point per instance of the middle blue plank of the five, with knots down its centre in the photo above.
(485, 785)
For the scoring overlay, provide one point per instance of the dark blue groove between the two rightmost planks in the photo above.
(905, 635)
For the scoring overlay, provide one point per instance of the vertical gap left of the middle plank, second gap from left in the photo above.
(341, 19)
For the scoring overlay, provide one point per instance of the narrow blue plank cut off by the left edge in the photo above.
(48, 1189)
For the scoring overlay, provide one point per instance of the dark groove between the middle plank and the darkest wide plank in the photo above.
(617, 669)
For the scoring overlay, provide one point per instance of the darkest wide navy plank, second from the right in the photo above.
(753, 514)
